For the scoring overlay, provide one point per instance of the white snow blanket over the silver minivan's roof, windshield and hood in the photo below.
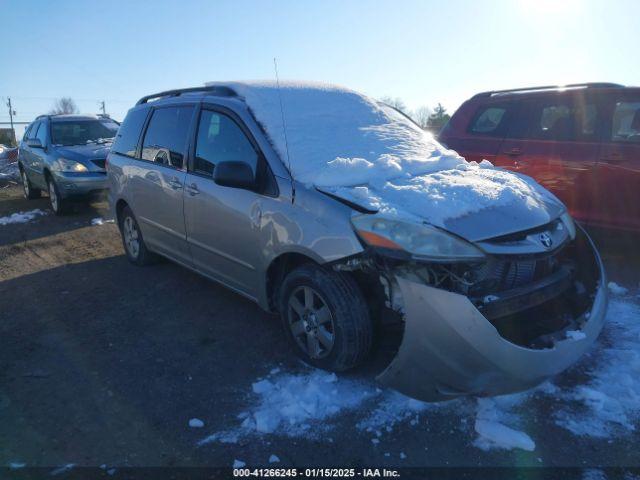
(358, 149)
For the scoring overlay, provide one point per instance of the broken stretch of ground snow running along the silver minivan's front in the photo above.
(607, 404)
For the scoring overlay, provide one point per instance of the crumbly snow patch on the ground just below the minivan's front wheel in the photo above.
(292, 404)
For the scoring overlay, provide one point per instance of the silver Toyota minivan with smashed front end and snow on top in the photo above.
(341, 215)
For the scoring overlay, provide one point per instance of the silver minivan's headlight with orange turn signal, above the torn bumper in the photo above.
(421, 241)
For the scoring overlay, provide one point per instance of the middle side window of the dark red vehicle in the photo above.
(557, 119)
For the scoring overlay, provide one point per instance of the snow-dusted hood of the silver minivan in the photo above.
(475, 202)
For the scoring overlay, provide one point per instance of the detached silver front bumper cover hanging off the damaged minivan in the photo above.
(451, 349)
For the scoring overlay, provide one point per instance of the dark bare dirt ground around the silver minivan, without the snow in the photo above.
(103, 362)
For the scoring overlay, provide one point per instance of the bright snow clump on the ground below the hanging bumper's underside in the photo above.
(491, 429)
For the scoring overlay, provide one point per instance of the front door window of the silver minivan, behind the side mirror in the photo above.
(220, 139)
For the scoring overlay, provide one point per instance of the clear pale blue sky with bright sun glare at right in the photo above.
(421, 51)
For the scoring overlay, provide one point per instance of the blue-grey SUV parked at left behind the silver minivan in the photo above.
(65, 155)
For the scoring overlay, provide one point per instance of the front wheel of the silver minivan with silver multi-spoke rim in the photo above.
(325, 317)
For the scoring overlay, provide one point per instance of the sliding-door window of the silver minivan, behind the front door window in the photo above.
(165, 140)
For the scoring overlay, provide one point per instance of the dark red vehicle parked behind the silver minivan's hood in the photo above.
(580, 141)
